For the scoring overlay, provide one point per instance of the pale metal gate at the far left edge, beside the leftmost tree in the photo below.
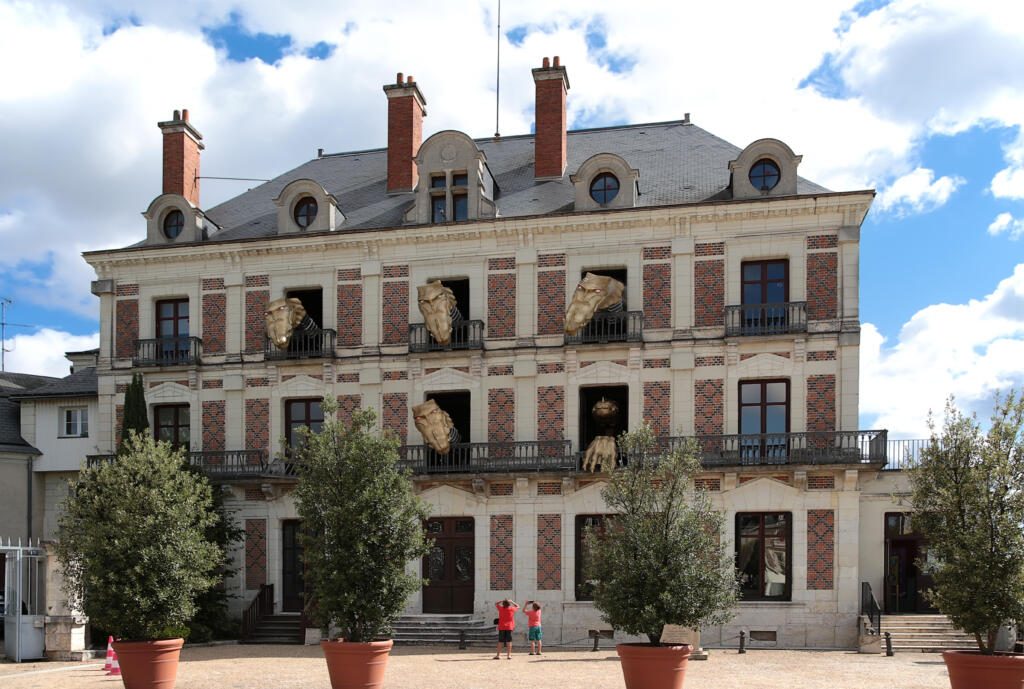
(23, 600)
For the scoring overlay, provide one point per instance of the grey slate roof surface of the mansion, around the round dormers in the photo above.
(678, 162)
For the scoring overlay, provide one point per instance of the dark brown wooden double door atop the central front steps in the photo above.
(449, 566)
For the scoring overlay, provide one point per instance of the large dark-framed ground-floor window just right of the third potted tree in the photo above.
(764, 543)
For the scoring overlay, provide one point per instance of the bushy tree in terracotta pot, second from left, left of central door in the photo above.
(362, 527)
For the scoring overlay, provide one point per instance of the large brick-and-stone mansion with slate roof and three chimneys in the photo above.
(738, 325)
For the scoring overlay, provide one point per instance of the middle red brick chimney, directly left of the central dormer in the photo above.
(406, 110)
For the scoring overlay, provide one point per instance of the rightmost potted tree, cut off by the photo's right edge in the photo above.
(968, 495)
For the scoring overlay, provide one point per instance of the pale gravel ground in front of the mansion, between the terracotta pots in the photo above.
(425, 668)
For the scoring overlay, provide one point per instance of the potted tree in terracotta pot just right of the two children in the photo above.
(659, 561)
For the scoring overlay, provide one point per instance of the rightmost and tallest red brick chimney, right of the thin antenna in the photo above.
(549, 142)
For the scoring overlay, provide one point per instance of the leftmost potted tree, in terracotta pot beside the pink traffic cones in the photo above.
(136, 554)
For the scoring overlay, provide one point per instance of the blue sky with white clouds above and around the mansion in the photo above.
(922, 101)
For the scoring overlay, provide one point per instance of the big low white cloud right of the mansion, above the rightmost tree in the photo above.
(969, 351)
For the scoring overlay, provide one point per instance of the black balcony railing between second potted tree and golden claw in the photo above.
(485, 458)
